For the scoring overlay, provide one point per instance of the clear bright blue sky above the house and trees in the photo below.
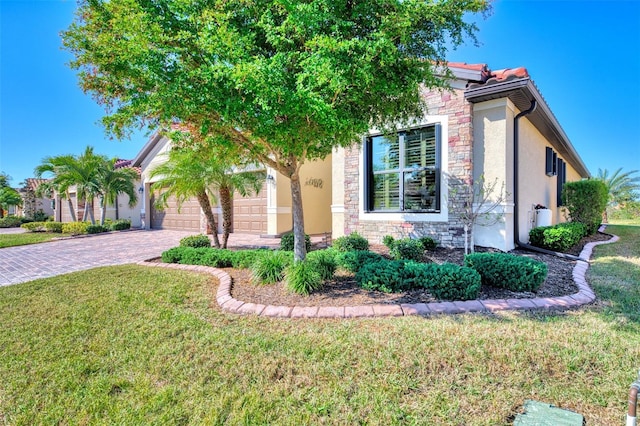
(584, 56)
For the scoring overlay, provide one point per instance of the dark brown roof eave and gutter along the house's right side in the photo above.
(521, 91)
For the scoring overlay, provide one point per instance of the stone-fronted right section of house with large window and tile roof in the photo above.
(494, 124)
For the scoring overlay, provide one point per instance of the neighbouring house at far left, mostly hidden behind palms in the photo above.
(119, 211)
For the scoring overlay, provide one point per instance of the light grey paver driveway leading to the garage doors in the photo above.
(26, 263)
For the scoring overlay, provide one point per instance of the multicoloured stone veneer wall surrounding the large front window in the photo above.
(459, 144)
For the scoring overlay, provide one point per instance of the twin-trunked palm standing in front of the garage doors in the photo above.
(201, 173)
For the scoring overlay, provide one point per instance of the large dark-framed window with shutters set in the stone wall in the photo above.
(402, 171)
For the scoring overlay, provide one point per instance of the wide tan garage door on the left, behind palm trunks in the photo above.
(187, 219)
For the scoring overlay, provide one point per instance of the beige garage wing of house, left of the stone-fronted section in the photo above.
(266, 213)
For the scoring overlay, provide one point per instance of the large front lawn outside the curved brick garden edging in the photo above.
(136, 345)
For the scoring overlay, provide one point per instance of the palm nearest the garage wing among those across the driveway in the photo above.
(113, 182)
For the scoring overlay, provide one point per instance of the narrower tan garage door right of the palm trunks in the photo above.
(250, 213)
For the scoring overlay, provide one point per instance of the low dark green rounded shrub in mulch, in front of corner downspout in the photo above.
(507, 271)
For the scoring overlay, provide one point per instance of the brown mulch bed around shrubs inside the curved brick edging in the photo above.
(343, 290)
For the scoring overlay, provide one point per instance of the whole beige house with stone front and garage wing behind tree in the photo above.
(493, 124)
